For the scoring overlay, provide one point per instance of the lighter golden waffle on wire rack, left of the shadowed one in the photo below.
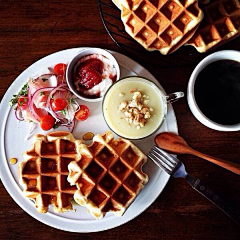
(162, 25)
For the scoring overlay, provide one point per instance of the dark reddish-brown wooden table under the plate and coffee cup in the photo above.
(30, 30)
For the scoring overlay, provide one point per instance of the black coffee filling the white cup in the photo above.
(217, 91)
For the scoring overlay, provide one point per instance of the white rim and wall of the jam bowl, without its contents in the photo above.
(73, 62)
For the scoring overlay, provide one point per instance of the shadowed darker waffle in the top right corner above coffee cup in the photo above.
(221, 24)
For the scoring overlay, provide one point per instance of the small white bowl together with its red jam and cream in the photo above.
(90, 73)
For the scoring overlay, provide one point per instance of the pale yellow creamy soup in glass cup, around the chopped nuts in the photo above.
(122, 91)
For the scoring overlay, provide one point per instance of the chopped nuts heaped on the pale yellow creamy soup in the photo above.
(136, 111)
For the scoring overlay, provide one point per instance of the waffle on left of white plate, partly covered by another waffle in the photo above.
(43, 173)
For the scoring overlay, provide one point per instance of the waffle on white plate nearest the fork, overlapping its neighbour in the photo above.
(108, 175)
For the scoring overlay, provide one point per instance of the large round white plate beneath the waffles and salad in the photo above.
(12, 144)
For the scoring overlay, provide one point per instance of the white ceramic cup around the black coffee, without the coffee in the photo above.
(221, 55)
